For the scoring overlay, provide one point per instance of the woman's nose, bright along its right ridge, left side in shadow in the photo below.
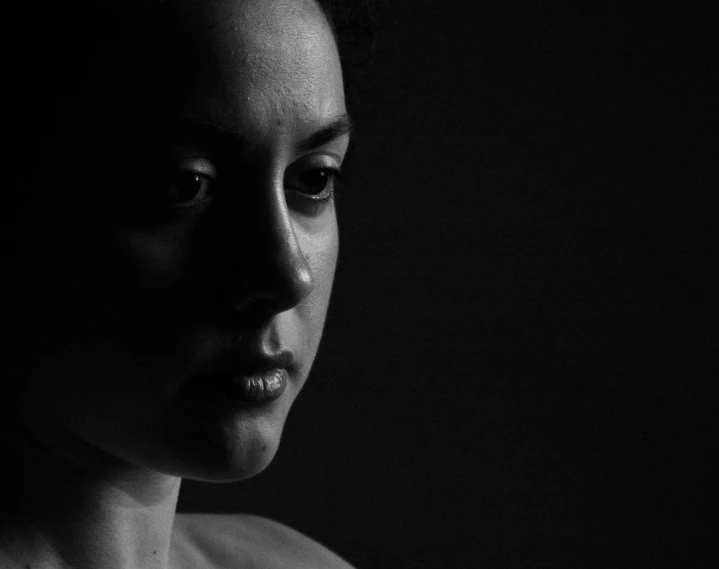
(266, 271)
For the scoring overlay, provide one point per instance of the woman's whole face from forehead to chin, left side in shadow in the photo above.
(184, 243)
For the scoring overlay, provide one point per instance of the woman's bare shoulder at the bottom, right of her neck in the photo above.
(220, 541)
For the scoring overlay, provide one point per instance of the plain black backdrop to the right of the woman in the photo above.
(517, 369)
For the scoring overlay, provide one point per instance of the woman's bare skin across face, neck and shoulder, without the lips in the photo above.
(143, 278)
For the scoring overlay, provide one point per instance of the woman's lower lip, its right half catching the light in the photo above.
(254, 389)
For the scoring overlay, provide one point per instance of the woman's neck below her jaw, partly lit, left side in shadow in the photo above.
(79, 508)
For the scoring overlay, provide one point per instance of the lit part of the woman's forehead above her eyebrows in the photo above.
(262, 65)
